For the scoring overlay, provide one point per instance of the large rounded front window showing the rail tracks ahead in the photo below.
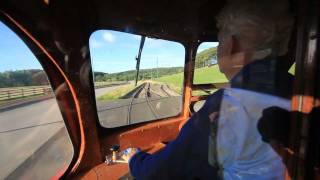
(157, 94)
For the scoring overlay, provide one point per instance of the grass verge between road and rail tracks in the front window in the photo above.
(116, 93)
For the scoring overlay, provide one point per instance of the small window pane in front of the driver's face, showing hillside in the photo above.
(206, 69)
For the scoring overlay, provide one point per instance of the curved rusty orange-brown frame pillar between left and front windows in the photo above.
(85, 156)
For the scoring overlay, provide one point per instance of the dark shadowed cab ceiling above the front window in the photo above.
(177, 20)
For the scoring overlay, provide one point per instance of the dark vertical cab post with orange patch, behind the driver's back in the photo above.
(305, 98)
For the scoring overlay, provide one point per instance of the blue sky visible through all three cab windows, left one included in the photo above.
(110, 52)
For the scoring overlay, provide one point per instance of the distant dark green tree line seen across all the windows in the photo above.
(36, 77)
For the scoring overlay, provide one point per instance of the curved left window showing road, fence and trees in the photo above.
(34, 141)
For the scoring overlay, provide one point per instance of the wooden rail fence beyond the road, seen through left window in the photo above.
(15, 93)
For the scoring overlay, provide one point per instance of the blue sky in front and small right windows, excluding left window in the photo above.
(113, 51)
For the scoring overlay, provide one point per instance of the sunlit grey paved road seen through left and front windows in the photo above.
(18, 142)
